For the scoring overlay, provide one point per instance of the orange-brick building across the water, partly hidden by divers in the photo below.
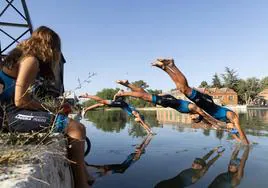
(221, 96)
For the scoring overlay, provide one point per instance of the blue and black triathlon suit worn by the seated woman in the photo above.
(22, 120)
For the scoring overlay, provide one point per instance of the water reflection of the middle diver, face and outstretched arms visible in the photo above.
(192, 175)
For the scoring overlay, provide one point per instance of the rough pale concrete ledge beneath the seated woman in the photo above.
(46, 166)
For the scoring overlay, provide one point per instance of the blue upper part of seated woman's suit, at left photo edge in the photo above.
(8, 83)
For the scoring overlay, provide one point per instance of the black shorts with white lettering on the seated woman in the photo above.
(21, 120)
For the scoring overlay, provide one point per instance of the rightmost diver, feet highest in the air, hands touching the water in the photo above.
(203, 101)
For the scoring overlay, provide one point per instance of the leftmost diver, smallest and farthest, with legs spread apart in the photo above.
(118, 102)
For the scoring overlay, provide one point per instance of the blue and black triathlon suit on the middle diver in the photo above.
(169, 101)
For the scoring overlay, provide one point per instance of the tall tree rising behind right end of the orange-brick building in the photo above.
(230, 78)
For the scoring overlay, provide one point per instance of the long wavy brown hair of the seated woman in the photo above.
(44, 44)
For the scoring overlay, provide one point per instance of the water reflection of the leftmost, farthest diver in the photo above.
(102, 170)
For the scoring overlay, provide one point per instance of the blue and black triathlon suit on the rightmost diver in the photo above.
(206, 102)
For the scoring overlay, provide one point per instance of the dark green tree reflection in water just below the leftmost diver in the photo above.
(108, 121)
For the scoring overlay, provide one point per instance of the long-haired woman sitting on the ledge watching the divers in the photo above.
(39, 55)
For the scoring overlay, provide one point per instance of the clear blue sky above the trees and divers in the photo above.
(119, 39)
